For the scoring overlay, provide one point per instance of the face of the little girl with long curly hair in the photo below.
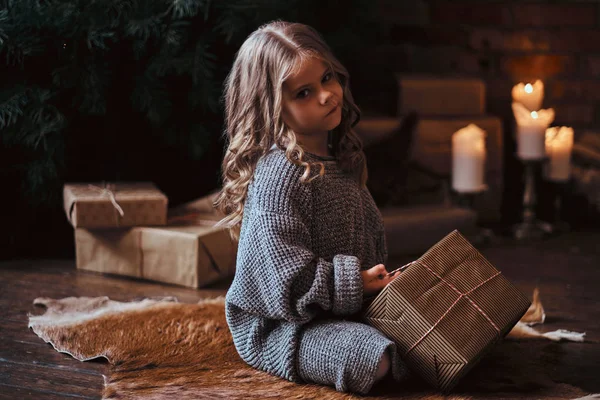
(312, 100)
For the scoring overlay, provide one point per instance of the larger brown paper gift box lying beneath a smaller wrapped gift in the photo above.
(192, 255)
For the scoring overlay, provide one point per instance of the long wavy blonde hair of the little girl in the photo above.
(253, 113)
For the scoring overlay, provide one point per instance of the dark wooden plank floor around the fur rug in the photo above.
(566, 269)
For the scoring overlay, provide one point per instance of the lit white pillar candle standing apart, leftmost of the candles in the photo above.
(468, 159)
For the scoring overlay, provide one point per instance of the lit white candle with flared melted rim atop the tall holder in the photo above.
(531, 131)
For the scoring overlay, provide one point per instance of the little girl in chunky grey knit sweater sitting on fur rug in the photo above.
(311, 240)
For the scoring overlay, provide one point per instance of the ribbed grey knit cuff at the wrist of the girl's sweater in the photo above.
(348, 285)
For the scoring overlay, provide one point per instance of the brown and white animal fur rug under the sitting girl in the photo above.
(161, 349)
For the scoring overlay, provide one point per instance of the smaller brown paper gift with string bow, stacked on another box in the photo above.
(119, 204)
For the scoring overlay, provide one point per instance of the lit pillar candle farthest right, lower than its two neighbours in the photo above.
(559, 144)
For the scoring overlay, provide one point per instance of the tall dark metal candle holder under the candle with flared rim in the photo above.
(531, 227)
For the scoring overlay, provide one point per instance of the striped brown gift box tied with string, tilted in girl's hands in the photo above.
(446, 310)
